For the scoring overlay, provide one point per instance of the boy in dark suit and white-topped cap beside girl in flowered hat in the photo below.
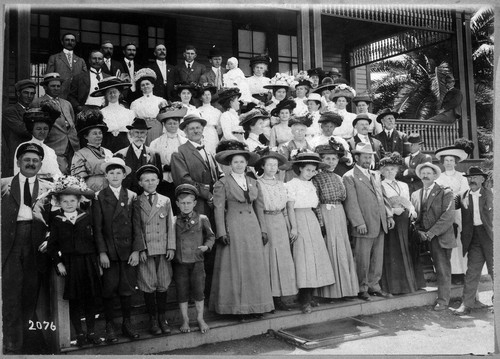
(119, 241)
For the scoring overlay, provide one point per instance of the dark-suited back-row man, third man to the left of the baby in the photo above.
(164, 84)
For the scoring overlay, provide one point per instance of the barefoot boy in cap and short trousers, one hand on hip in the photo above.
(194, 237)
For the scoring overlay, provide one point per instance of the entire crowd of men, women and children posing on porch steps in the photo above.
(244, 192)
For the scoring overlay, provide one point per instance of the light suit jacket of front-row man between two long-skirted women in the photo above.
(365, 203)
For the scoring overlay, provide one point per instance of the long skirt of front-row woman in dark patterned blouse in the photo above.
(339, 248)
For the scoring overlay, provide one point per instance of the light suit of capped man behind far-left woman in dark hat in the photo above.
(62, 134)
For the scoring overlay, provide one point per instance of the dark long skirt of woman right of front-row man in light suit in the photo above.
(398, 275)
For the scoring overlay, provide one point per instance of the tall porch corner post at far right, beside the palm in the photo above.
(470, 81)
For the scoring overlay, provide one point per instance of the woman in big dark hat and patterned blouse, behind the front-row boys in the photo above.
(86, 162)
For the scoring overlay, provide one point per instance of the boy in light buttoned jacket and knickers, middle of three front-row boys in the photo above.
(158, 231)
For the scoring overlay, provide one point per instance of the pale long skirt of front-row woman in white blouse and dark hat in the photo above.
(313, 268)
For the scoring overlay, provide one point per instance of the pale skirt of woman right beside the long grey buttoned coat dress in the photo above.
(279, 257)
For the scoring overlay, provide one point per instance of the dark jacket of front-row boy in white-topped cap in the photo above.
(117, 227)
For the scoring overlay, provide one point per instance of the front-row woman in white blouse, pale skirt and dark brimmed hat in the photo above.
(313, 268)
